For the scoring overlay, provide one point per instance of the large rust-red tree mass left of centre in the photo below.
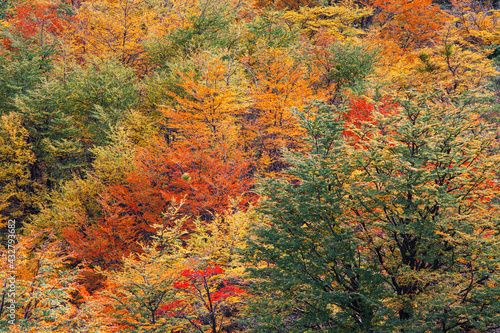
(201, 177)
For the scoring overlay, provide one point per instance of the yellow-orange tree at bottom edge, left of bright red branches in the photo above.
(133, 296)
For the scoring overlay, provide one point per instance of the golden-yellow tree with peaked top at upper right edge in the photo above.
(446, 66)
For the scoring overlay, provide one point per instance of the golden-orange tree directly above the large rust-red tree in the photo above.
(206, 105)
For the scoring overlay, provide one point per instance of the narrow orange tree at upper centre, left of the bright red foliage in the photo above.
(280, 83)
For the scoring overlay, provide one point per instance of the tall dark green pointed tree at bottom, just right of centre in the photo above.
(306, 257)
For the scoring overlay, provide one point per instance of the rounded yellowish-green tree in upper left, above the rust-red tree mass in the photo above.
(100, 97)
